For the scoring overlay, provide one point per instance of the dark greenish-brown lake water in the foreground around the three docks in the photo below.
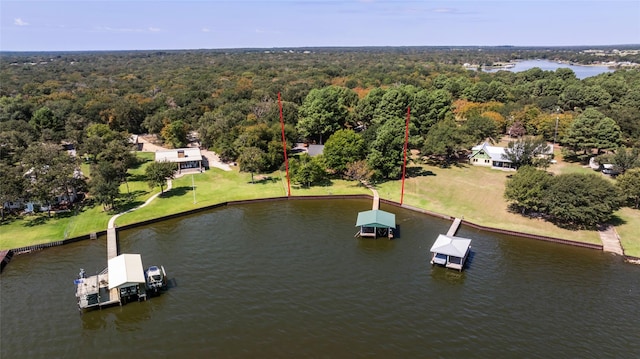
(288, 280)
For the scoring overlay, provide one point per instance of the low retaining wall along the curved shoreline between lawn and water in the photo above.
(95, 235)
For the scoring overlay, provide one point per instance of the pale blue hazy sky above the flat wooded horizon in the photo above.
(87, 25)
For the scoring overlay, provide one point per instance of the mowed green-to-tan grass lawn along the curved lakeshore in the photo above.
(475, 193)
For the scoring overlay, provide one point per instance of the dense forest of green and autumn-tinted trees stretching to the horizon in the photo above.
(353, 100)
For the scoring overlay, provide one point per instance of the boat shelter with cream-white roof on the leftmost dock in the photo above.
(126, 274)
